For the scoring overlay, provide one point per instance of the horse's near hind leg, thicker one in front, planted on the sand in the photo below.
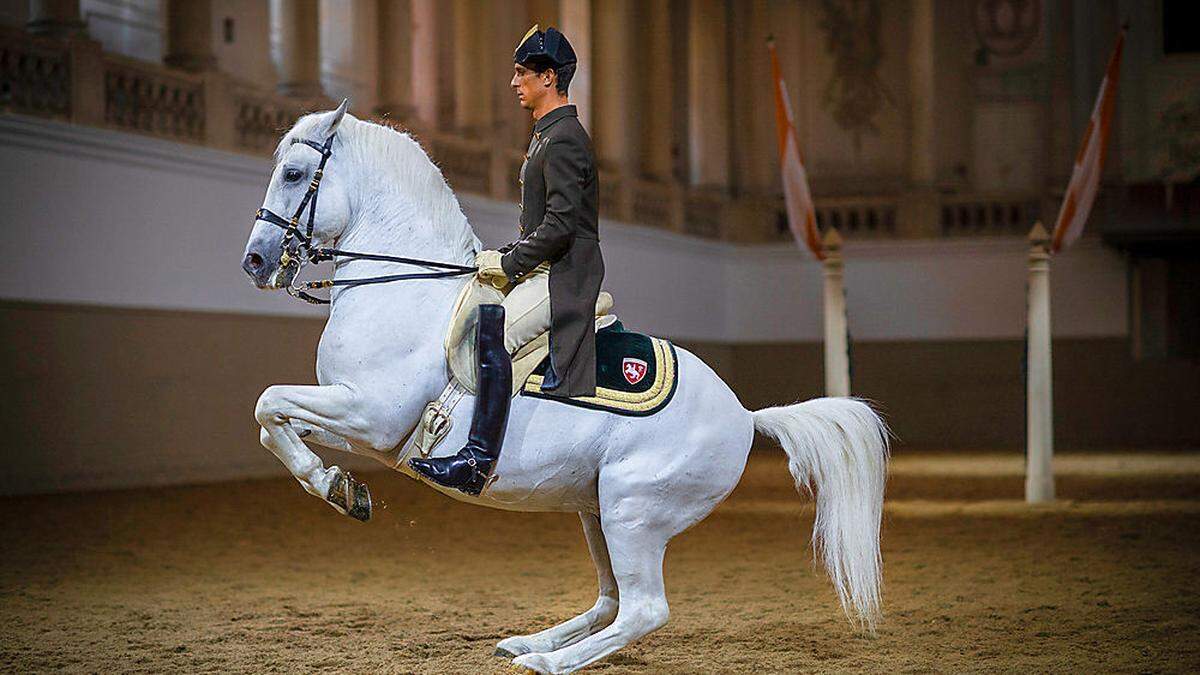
(637, 545)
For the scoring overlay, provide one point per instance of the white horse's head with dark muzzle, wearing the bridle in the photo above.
(293, 199)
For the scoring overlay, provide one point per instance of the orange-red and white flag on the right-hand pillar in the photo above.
(1085, 180)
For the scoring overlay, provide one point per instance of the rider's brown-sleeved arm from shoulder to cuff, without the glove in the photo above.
(566, 165)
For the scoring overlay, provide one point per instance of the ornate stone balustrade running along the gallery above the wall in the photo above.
(75, 81)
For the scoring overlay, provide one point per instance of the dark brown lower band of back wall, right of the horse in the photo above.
(970, 395)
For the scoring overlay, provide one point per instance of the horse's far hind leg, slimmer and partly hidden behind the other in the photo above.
(575, 630)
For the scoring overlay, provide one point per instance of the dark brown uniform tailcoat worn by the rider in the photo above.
(560, 225)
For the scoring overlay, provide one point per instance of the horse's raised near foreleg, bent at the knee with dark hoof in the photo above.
(287, 411)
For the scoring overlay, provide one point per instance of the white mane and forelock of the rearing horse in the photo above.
(403, 192)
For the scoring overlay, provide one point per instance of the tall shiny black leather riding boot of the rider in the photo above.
(471, 469)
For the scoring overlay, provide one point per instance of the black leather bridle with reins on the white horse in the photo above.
(297, 247)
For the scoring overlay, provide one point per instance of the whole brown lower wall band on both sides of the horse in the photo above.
(99, 398)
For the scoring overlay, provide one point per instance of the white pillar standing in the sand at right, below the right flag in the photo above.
(1040, 397)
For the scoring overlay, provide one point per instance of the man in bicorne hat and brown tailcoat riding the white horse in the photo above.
(553, 273)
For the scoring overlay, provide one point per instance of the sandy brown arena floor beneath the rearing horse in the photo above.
(260, 577)
